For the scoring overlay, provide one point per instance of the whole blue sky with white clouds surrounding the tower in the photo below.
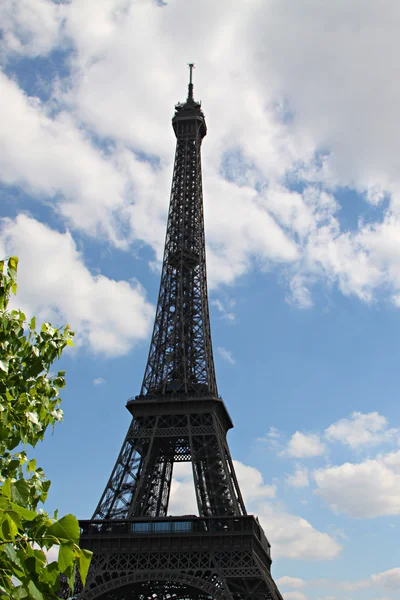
(302, 206)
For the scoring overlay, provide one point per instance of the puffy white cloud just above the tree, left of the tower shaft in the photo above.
(110, 316)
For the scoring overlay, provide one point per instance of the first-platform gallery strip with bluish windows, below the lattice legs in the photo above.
(187, 524)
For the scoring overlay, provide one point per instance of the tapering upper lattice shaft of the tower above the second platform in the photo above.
(180, 359)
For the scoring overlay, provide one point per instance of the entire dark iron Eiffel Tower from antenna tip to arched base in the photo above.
(140, 553)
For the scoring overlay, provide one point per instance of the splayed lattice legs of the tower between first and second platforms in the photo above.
(141, 479)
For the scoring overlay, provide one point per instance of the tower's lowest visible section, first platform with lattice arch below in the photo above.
(180, 558)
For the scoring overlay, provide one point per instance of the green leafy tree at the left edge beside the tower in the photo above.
(29, 404)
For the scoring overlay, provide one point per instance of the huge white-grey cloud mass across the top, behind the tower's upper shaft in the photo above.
(318, 128)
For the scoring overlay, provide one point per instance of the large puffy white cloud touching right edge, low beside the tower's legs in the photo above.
(362, 490)
